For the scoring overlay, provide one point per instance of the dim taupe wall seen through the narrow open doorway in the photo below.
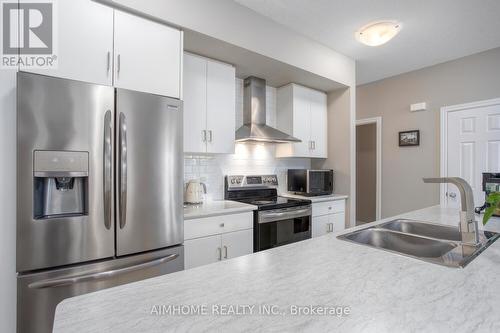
(366, 172)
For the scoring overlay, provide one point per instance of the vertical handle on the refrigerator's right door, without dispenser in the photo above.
(122, 201)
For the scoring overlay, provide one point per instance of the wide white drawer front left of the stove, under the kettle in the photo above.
(214, 225)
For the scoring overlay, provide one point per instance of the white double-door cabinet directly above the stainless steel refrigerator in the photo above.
(133, 53)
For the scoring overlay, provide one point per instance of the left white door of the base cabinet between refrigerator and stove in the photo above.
(202, 251)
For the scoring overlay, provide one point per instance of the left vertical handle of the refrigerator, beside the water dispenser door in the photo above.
(108, 170)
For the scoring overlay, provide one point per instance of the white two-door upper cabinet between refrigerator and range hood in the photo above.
(209, 106)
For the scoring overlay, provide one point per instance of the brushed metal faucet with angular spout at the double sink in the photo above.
(468, 224)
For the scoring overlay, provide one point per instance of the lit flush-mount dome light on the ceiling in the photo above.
(378, 33)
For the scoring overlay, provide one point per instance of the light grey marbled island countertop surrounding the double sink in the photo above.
(384, 292)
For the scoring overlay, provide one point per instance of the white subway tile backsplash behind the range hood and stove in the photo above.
(248, 159)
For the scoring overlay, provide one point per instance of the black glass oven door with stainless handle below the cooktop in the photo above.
(281, 226)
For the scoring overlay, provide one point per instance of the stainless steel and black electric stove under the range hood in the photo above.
(278, 220)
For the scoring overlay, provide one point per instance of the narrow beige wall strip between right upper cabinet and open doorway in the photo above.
(339, 144)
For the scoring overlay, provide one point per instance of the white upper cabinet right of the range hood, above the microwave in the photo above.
(302, 112)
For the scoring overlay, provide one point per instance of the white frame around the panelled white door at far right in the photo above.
(444, 137)
